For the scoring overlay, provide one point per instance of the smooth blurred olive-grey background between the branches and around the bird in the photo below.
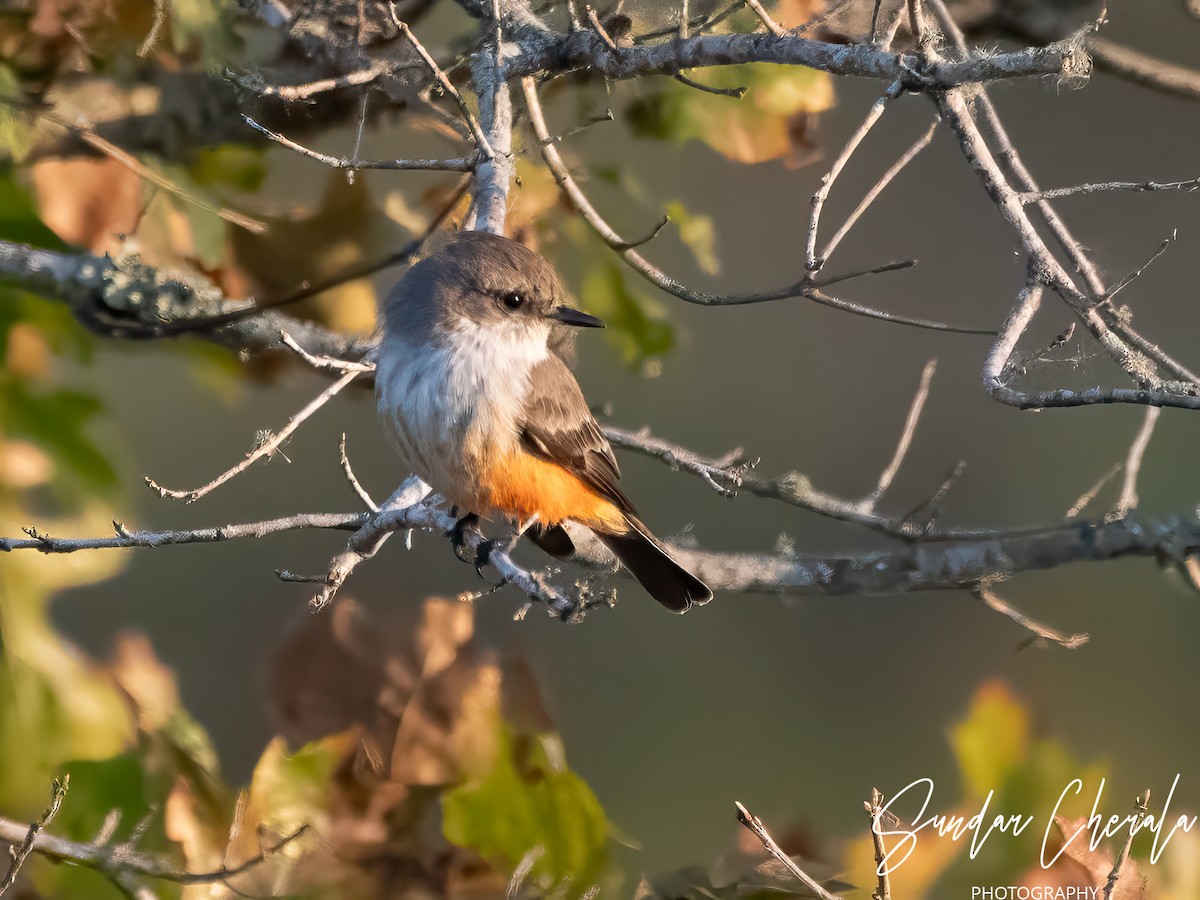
(797, 707)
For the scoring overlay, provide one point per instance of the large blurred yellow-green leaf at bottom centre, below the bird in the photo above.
(529, 802)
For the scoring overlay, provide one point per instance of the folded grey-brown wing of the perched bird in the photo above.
(559, 427)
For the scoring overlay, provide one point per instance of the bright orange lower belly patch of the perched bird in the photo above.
(523, 487)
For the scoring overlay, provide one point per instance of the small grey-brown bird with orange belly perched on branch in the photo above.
(475, 394)
